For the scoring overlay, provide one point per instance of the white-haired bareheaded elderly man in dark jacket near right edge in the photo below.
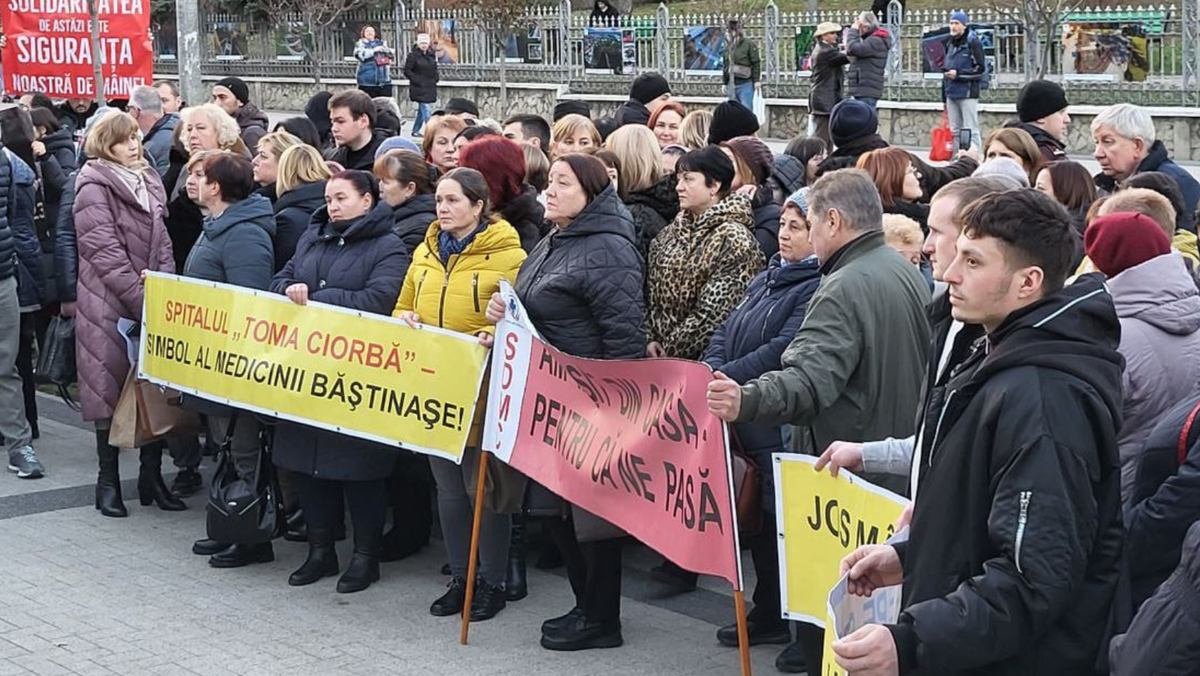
(1126, 145)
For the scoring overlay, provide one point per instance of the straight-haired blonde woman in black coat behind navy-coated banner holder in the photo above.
(302, 193)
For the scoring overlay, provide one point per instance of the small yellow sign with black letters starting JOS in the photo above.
(820, 521)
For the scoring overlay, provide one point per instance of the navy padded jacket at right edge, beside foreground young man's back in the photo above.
(1163, 502)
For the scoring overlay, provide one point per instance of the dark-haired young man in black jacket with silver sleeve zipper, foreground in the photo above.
(1012, 561)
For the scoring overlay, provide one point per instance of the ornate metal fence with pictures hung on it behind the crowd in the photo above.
(1147, 55)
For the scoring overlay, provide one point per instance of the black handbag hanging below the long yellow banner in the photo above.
(244, 510)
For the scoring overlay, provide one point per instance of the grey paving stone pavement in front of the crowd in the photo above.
(87, 596)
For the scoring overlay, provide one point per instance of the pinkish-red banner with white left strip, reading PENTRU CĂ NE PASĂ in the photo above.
(632, 442)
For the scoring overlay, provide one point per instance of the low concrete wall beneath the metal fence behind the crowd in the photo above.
(901, 123)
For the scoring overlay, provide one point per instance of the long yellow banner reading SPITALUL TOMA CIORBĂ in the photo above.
(343, 370)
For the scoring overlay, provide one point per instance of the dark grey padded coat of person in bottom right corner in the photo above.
(1162, 639)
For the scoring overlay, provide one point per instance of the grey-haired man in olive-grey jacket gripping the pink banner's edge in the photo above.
(855, 369)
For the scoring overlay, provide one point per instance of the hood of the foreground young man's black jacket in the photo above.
(1075, 331)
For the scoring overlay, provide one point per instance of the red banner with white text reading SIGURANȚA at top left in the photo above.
(50, 47)
